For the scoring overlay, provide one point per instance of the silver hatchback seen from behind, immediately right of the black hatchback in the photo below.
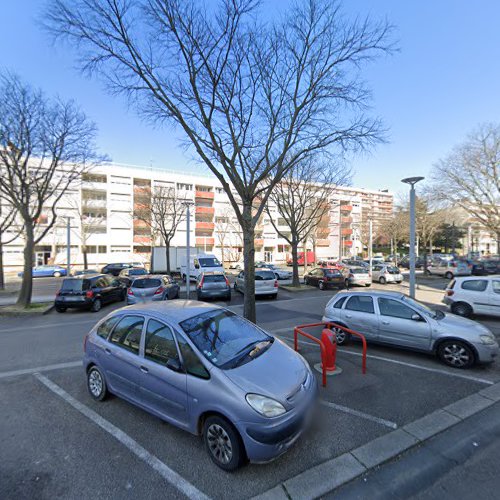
(152, 288)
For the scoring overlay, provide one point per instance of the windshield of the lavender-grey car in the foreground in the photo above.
(225, 338)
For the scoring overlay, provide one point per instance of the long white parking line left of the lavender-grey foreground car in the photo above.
(166, 472)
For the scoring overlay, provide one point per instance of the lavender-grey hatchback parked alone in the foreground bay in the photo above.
(162, 357)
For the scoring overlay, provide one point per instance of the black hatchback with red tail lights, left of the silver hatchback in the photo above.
(89, 292)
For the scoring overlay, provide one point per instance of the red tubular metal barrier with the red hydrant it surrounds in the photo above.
(328, 353)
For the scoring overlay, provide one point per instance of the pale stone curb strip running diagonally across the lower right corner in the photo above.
(330, 475)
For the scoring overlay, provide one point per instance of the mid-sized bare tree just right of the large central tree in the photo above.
(302, 200)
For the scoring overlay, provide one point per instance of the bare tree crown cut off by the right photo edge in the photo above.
(470, 178)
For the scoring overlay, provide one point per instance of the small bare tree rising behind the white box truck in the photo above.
(163, 216)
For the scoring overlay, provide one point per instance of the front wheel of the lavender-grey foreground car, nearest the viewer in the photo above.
(223, 443)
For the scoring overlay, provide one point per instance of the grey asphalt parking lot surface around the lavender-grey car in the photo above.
(57, 442)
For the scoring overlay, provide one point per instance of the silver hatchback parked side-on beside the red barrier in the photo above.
(395, 319)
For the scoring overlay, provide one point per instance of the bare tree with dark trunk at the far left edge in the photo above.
(44, 147)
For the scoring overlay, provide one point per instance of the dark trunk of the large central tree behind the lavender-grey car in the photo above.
(249, 310)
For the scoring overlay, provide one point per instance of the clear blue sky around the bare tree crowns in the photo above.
(441, 84)
